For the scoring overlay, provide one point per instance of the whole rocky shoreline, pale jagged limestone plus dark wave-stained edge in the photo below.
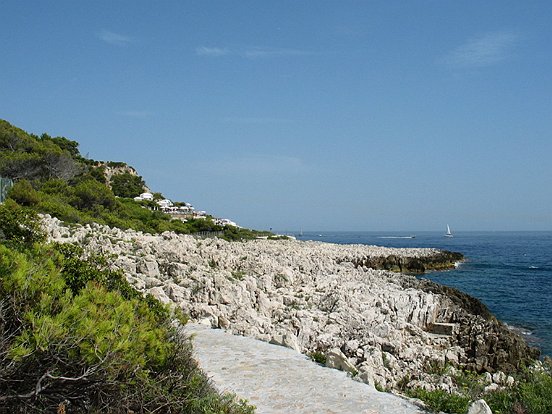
(343, 303)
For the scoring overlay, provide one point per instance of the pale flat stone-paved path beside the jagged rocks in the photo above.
(279, 380)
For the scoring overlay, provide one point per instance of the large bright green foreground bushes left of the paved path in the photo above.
(76, 337)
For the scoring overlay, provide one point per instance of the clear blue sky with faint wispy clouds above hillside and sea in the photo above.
(321, 115)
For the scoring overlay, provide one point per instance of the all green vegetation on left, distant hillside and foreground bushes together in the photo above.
(75, 336)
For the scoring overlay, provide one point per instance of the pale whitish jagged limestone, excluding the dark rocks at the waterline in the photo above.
(307, 296)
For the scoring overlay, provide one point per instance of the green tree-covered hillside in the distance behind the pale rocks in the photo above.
(52, 177)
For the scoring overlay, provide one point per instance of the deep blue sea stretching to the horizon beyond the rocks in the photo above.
(511, 272)
